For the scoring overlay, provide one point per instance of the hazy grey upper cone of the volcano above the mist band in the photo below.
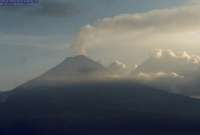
(73, 69)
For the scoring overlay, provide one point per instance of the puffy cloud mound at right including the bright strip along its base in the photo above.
(168, 64)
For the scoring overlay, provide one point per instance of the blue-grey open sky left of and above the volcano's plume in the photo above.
(36, 38)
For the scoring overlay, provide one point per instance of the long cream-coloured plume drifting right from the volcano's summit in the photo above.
(172, 28)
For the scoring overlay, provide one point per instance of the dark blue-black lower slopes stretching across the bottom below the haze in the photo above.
(97, 108)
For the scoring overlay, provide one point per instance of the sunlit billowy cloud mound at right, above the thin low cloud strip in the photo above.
(170, 61)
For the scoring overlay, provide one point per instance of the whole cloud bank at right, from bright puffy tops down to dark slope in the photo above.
(170, 70)
